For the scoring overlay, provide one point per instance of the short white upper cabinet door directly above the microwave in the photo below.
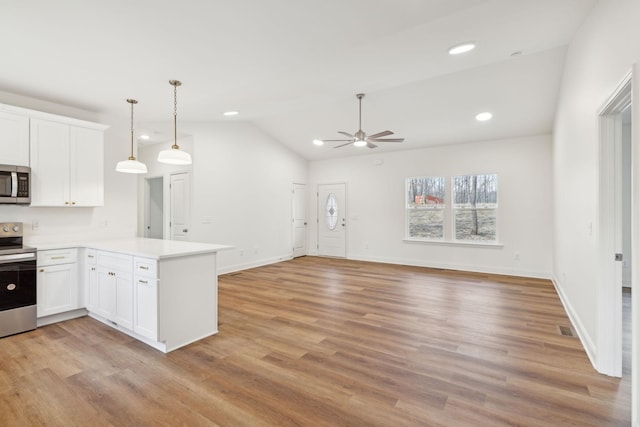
(14, 139)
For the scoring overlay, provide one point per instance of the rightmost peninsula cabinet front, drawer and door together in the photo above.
(145, 313)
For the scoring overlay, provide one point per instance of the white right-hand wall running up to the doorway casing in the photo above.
(598, 58)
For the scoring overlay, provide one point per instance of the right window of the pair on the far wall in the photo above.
(475, 207)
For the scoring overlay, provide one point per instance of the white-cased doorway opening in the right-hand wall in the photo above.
(614, 230)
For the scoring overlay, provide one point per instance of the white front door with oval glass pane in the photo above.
(332, 220)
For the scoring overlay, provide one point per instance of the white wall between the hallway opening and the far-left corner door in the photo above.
(241, 191)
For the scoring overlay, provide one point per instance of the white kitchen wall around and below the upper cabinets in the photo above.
(118, 216)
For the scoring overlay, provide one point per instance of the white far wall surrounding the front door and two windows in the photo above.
(375, 204)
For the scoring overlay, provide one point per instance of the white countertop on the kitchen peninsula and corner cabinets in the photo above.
(138, 246)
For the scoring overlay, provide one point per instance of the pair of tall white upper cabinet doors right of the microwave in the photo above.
(66, 164)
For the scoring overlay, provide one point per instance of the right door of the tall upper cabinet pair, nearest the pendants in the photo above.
(87, 175)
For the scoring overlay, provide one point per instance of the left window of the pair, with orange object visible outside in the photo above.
(425, 206)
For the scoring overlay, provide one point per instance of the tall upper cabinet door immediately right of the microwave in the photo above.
(49, 163)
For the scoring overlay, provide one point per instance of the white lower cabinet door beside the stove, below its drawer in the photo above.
(57, 289)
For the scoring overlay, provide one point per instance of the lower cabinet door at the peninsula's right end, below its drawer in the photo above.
(146, 307)
